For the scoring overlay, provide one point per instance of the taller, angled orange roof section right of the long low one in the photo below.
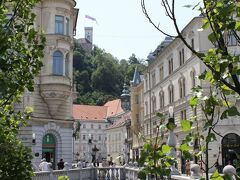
(113, 107)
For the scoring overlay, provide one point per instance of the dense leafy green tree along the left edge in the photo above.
(21, 51)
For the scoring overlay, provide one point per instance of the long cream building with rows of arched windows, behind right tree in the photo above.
(168, 81)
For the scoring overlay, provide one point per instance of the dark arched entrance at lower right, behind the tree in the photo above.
(230, 149)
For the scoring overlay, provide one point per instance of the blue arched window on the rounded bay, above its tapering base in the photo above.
(57, 63)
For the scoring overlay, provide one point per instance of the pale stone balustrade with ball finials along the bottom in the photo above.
(116, 173)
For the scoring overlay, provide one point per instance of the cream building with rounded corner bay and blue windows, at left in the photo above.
(49, 133)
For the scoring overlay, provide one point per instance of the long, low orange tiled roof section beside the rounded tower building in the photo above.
(87, 112)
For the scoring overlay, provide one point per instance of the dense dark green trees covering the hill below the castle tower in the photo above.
(99, 76)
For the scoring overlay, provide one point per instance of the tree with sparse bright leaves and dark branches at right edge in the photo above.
(222, 18)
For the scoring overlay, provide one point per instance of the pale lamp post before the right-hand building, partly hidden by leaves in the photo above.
(172, 142)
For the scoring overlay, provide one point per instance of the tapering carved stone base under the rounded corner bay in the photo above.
(55, 90)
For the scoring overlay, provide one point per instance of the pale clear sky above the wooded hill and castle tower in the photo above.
(122, 29)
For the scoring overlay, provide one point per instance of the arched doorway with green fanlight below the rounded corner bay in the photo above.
(49, 149)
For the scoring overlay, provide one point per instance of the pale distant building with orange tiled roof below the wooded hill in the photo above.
(94, 121)
